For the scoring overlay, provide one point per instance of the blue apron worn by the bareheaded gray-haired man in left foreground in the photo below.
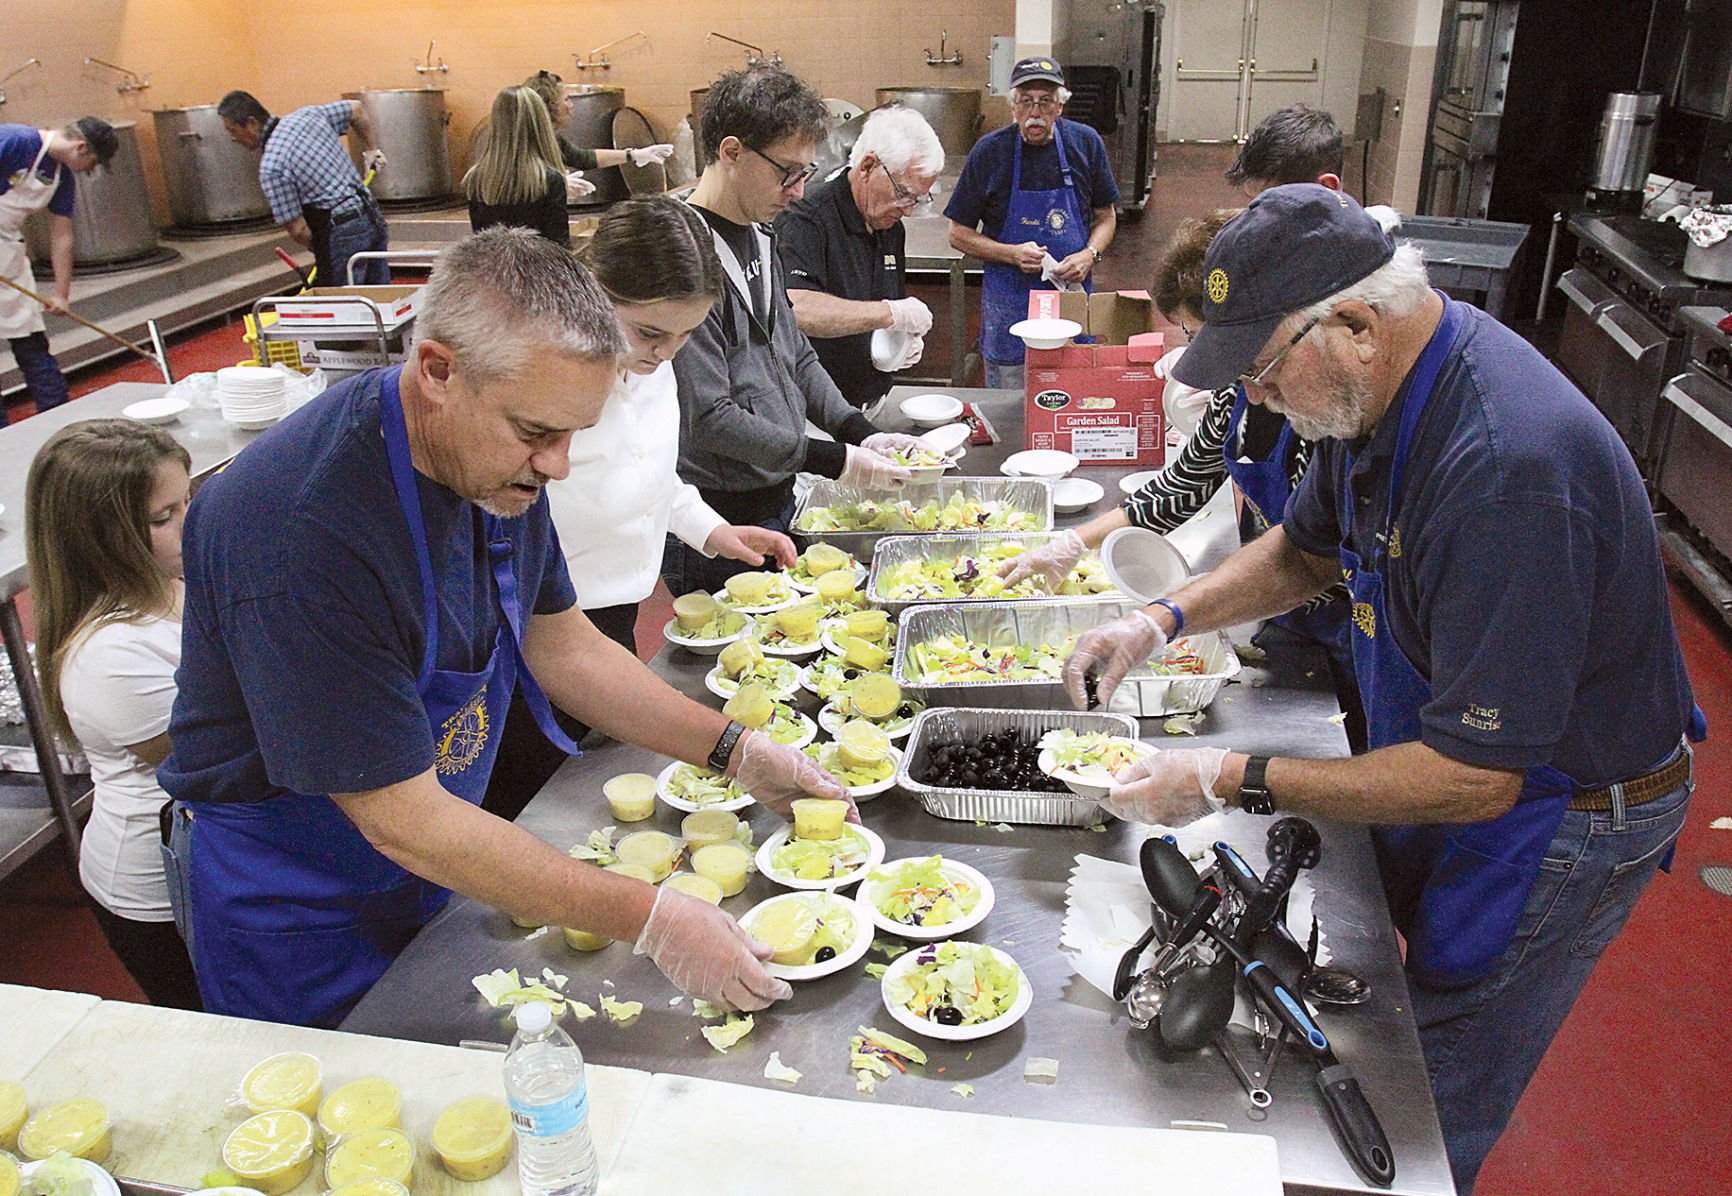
(295, 915)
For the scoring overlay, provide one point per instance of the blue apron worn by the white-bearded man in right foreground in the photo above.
(1456, 891)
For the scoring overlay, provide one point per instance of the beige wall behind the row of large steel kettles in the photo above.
(311, 51)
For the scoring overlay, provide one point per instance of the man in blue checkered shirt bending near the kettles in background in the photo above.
(311, 183)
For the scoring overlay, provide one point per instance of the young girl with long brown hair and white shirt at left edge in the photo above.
(103, 515)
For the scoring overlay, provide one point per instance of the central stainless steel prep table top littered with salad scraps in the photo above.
(1108, 1072)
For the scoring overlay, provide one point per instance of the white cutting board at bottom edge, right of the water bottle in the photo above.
(702, 1136)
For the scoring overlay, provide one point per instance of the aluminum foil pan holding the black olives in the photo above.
(1002, 806)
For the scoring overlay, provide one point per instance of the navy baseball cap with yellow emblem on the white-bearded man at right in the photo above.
(1288, 250)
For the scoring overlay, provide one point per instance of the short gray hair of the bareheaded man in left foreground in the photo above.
(501, 297)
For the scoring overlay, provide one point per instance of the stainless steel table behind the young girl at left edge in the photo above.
(209, 439)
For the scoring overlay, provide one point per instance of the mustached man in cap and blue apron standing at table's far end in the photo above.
(1033, 191)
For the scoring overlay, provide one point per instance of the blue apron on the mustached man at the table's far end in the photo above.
(1050, 217)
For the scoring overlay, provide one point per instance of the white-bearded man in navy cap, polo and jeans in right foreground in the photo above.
(1523, 683)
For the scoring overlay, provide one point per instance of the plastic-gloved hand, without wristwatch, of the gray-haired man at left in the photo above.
(706, 955)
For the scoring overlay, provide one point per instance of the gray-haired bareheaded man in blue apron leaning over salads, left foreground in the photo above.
(366, 588)
